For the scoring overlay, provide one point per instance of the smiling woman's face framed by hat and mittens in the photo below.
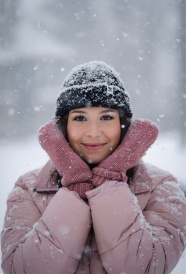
(93, 132)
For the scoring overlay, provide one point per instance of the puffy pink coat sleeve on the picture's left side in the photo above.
(49, 243)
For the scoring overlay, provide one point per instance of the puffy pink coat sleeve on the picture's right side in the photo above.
(134, 241)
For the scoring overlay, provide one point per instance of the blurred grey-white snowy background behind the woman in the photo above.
(40, 42)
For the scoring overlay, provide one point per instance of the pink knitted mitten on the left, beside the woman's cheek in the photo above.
(75, 173)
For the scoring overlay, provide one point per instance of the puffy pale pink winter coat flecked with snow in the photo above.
(135, 229)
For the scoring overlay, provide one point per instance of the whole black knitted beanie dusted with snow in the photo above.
(93, 84)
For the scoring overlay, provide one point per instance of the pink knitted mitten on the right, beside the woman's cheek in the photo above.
(140, 135)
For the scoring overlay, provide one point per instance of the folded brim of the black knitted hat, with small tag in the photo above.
(93, 96)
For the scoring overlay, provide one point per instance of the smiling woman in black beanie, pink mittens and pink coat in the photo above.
(95, 207)
